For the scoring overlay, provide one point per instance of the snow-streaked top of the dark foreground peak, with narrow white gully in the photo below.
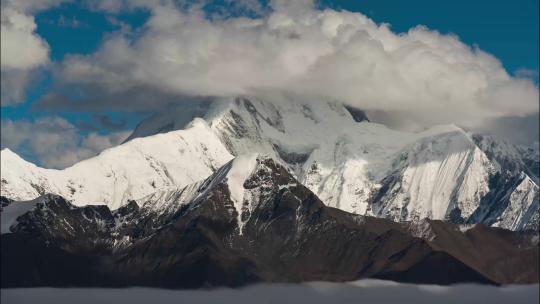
(242, 179)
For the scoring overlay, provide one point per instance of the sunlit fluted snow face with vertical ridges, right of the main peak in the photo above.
(438, 177)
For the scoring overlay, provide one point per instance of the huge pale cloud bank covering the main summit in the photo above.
(299, 51)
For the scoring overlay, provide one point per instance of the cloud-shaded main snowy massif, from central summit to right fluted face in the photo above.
(366, 168)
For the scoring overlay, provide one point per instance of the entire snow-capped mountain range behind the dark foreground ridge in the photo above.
(348, 162)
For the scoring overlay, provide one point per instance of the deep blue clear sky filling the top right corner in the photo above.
(507, 29)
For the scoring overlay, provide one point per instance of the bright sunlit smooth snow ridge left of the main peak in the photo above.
(131, 170)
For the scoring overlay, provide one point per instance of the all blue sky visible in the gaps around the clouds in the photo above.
(506, 29)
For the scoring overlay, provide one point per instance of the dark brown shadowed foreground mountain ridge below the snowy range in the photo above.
(251, 221)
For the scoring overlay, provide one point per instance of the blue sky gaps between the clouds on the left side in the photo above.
(82, 36)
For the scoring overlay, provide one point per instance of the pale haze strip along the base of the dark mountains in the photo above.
(363, 291)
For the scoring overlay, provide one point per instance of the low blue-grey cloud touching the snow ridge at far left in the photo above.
(55, 142)
